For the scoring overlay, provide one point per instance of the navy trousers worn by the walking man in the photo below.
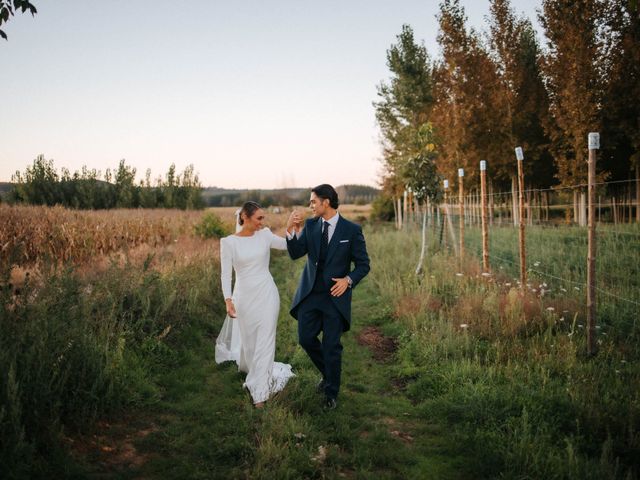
(316, 314)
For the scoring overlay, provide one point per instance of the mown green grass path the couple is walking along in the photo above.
(204, 427)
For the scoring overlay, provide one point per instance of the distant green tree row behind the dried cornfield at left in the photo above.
(41, 184)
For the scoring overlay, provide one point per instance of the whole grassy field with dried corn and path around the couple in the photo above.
(107, 358)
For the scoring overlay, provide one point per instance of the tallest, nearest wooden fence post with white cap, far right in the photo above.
(592, 347)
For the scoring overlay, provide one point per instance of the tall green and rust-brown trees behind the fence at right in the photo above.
(490, 92)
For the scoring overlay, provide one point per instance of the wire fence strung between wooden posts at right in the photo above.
(556, 251)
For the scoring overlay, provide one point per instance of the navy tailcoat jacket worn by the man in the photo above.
(347, 246)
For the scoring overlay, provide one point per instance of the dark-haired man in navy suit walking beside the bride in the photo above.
(322, 302)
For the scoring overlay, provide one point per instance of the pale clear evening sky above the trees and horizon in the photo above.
(253, 93)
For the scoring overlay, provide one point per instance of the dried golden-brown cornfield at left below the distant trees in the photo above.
(30, 236)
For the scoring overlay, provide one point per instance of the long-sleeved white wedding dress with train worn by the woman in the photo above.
(250, 338)
